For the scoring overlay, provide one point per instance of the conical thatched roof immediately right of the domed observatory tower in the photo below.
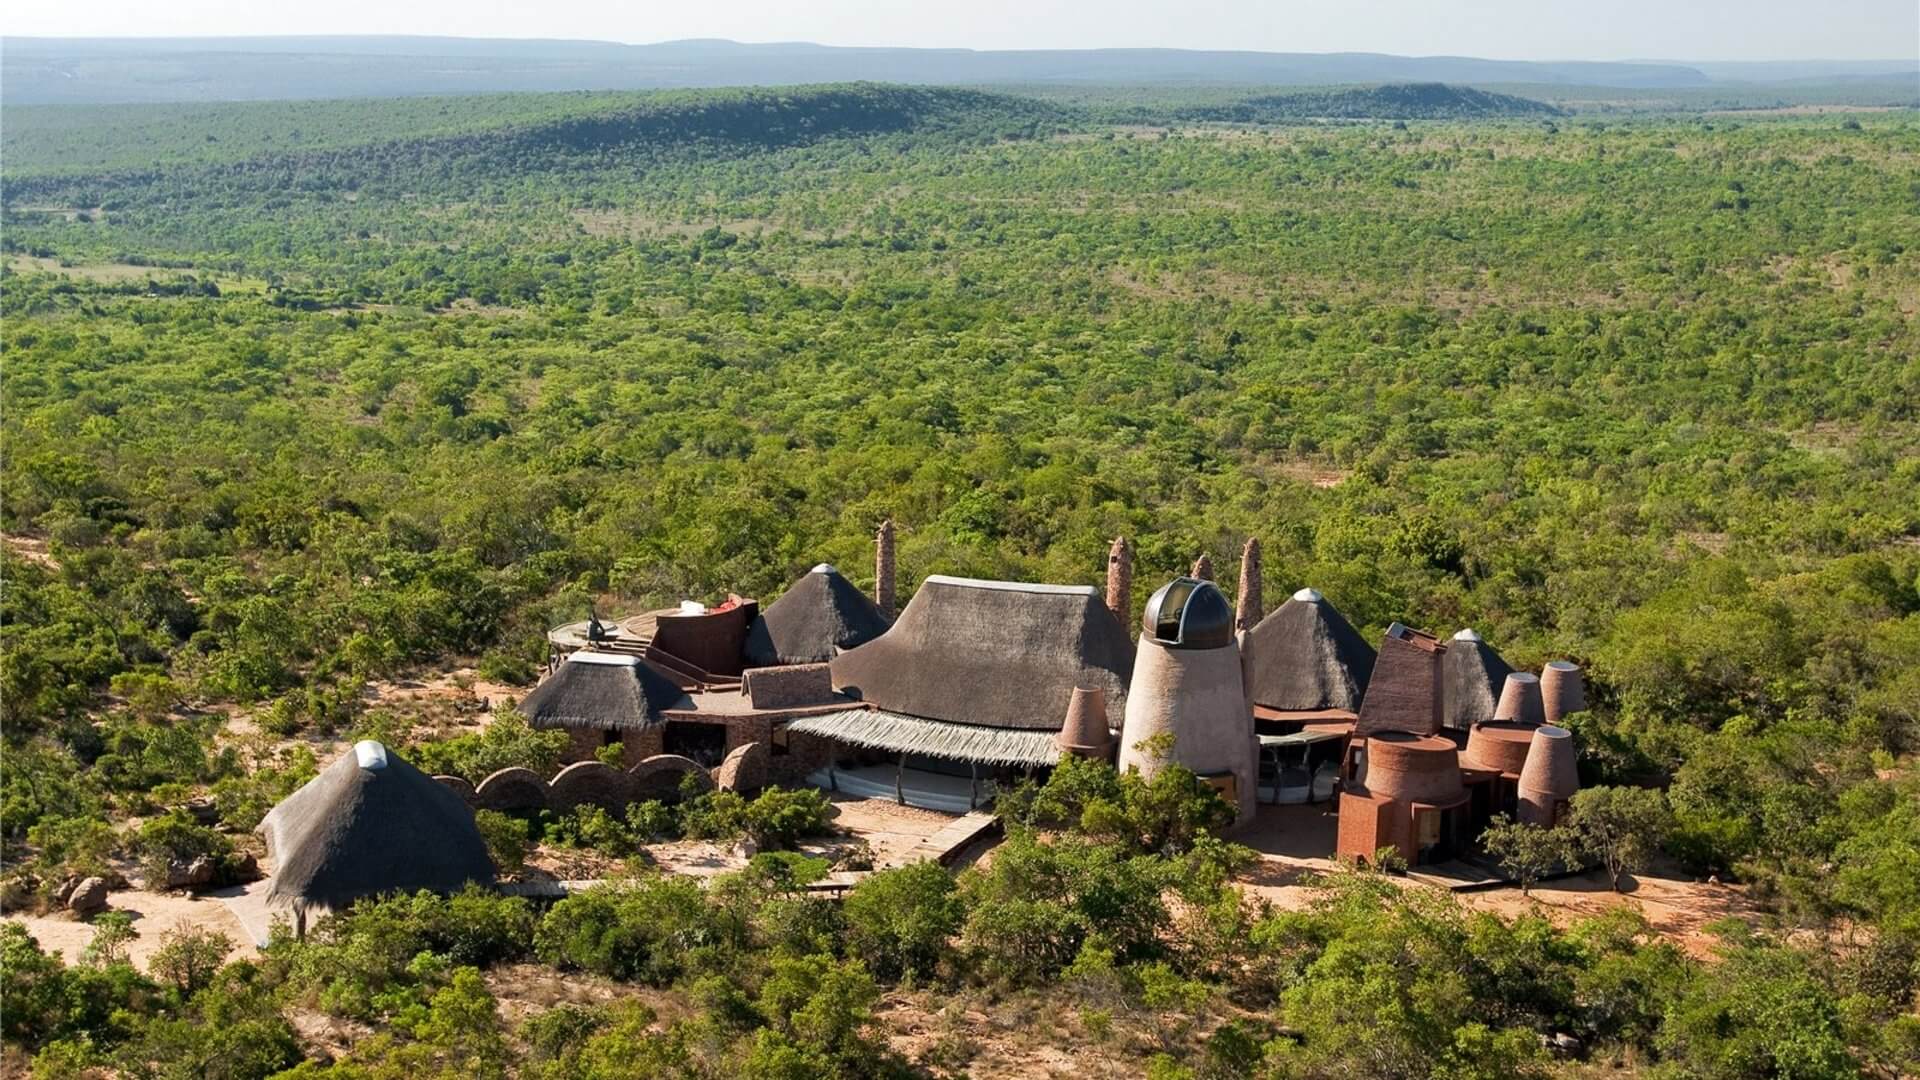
(1308, 658)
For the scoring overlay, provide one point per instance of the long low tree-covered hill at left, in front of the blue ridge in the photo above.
(66, 153)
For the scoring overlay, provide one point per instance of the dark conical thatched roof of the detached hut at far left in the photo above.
(368, 825)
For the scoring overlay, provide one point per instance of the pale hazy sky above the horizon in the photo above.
(1508, 30)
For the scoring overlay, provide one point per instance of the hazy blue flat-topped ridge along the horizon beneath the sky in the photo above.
(210, 70)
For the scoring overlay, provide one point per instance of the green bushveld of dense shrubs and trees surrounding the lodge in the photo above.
(1637, 393)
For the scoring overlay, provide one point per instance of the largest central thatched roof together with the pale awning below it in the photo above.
(982, 674)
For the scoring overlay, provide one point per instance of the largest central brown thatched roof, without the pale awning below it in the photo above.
(994, 654)
